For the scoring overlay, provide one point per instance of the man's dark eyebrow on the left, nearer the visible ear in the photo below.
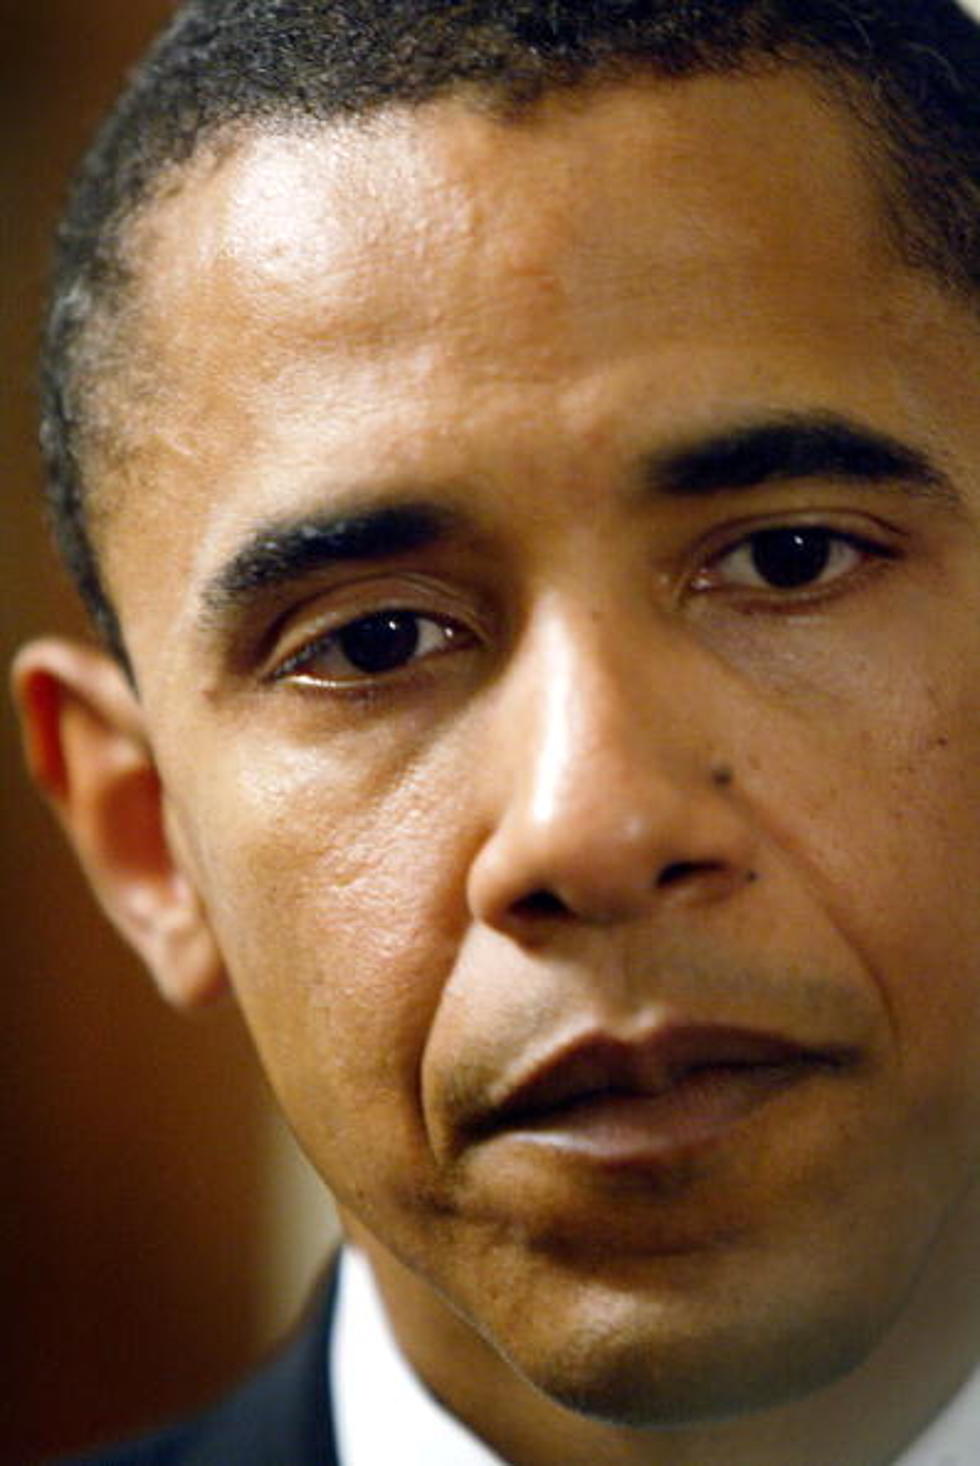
(281, 553)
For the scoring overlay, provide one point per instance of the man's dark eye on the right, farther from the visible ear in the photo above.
(790, 558)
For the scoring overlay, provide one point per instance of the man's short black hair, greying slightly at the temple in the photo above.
(909, 70)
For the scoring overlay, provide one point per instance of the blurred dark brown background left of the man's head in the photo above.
(139, 1218)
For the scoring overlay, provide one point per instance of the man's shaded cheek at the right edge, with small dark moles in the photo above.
(881, 801)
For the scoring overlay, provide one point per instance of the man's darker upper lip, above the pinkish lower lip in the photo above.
(607, 1065)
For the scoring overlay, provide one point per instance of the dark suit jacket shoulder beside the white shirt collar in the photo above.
(281, 1417)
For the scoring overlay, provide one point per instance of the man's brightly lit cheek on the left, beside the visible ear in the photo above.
(338, 907)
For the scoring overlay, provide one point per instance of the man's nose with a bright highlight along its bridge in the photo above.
(608, 788)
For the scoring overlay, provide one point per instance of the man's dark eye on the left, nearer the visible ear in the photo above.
(370, 647)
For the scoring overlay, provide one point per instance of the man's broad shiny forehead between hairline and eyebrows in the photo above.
(401, 295)
